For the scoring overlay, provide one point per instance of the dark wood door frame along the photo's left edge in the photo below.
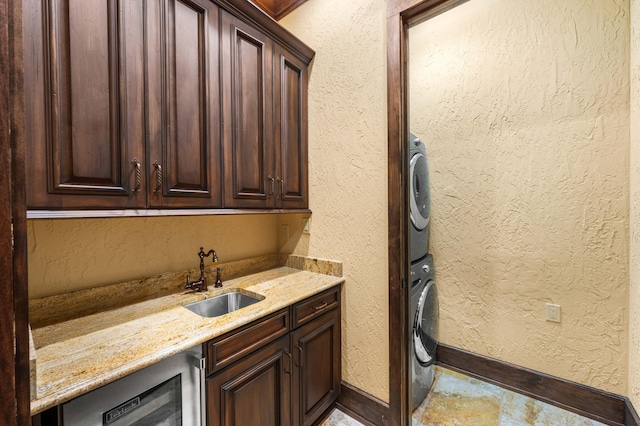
(14, 320)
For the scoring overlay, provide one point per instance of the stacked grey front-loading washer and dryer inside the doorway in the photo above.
(424, 297)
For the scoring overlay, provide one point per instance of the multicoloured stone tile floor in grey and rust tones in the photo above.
(459, 400)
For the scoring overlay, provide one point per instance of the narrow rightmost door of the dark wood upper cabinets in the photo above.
(291, 130)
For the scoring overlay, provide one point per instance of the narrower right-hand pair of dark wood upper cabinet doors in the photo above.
(265, 125)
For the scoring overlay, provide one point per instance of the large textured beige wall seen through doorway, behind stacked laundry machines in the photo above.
(524, 108)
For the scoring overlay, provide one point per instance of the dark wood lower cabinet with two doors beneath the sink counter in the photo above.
(291, 381)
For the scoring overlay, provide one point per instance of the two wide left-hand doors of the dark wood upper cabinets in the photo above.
(125, 104)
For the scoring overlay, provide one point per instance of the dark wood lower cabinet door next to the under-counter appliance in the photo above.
(254, 391)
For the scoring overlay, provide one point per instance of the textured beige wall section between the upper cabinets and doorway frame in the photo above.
(348, 171)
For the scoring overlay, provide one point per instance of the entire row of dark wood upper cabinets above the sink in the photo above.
(135, 104)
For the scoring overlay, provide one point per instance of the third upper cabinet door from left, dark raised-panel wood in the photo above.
(247, 100)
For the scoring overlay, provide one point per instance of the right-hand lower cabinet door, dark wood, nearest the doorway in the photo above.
(317, 374)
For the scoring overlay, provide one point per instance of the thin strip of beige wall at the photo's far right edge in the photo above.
(634, 270)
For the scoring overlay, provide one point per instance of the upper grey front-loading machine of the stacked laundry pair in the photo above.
(419, 199)
